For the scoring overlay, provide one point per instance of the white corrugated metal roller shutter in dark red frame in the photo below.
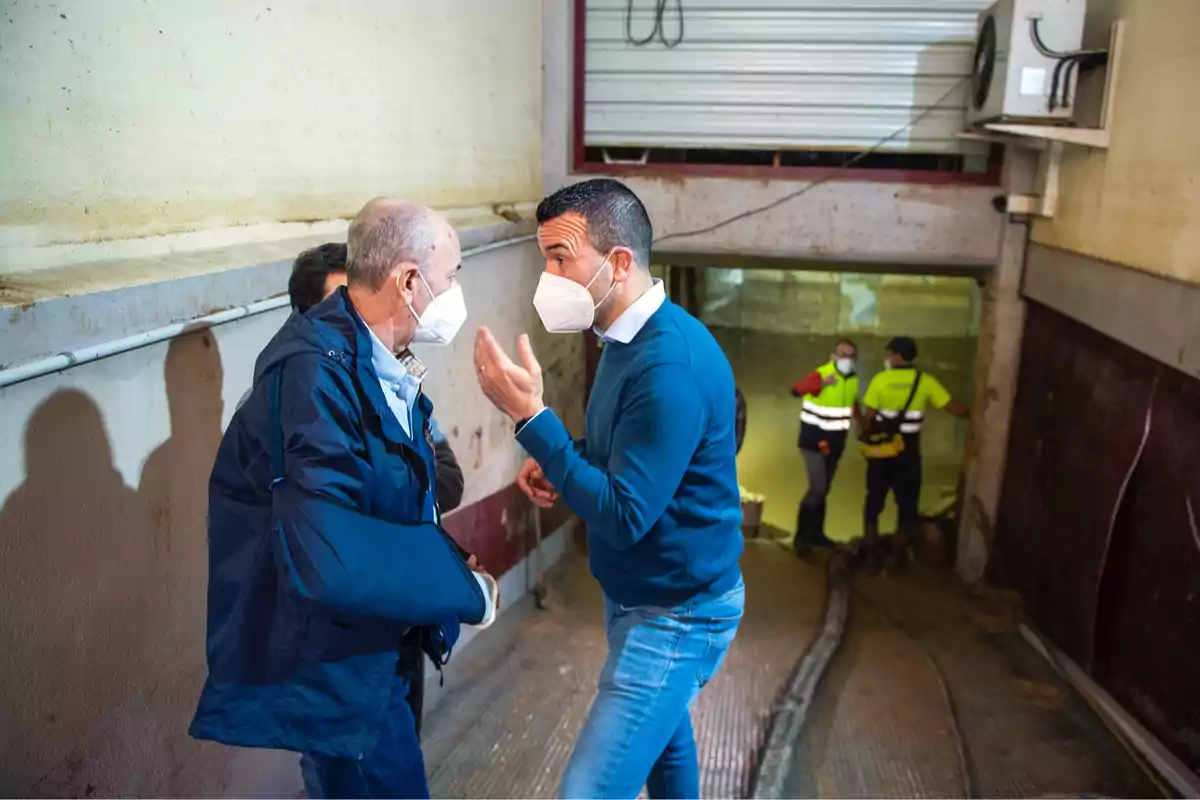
(782, 75)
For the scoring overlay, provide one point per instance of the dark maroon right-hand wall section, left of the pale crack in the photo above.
(1077, 426)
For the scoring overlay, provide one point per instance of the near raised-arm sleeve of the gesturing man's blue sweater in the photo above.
(658, 431)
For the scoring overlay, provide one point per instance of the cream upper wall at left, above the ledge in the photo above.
(131, 119)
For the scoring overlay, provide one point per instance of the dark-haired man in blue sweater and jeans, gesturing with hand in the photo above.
(655, 480)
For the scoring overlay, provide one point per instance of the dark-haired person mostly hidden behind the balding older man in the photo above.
(317, 274)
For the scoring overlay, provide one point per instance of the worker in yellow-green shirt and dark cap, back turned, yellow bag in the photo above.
(897, 399)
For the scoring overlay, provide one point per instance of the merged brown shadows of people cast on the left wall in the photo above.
(103, 598)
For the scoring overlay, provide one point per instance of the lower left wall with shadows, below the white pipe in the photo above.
(104, 476)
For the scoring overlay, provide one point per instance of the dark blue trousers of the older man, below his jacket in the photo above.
(394, 769)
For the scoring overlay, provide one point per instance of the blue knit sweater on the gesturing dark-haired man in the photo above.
(656, 479)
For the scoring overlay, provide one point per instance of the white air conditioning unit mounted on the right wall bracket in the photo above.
(1027, 62)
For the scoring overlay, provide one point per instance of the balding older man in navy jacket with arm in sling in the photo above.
(326, 548)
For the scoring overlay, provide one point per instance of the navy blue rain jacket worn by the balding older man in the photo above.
(325, 549)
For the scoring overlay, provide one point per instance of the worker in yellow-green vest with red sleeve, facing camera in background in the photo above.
(831, 407)
